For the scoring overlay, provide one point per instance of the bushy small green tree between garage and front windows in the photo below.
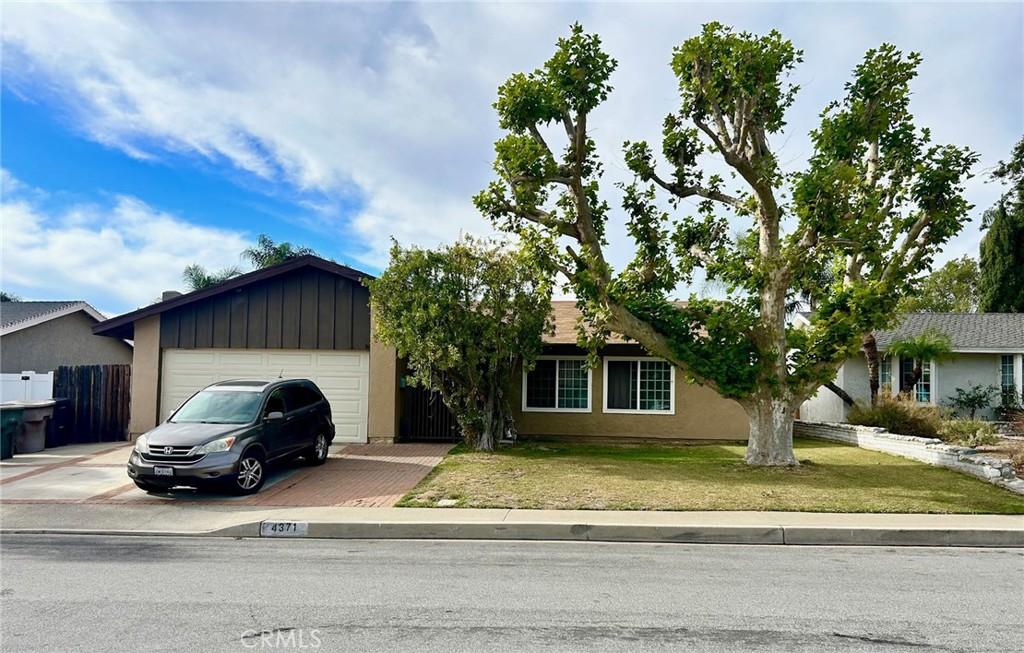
(465, 318)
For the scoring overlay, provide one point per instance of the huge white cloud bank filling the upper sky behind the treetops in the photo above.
(392, 103)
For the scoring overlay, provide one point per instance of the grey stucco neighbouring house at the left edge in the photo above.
(42, 336)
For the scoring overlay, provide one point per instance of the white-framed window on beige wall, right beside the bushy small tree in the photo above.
(558, 385)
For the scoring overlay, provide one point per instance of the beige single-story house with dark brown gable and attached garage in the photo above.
(311, 318)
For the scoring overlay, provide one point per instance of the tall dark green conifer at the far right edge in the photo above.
(1002, 281)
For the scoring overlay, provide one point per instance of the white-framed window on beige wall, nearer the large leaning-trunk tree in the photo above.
(639, 385)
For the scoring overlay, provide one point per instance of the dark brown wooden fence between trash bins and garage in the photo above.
(100, 398)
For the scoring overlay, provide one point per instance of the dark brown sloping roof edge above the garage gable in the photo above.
(124, 326)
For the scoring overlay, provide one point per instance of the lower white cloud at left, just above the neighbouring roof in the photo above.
(117, 257)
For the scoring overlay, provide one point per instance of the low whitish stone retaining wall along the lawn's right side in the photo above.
(931, 451)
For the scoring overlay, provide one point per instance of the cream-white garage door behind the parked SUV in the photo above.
(343, 376)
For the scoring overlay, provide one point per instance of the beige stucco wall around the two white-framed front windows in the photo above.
(701, 415)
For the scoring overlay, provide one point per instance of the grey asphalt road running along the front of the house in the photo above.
(147, 594)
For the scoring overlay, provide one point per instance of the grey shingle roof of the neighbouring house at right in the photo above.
(967, 332)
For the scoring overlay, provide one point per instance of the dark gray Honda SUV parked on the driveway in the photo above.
(228, 433)
